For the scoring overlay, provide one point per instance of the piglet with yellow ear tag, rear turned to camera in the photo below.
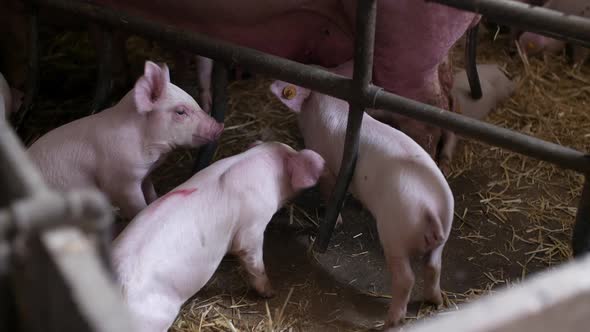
(395, 179)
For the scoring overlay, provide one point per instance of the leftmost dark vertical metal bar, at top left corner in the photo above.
(32, 85)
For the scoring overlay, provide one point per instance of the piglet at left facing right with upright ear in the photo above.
(116, 149)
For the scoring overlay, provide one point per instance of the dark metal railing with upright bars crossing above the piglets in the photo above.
(361, 94)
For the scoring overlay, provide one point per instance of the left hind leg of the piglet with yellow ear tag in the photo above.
(401, 288)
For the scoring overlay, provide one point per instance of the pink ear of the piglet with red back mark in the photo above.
(305, 169)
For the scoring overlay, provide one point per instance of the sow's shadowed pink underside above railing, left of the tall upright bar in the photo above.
(304, 31)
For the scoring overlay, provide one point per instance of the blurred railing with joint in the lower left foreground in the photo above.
(50, 271)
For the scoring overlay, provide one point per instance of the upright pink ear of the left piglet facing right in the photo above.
(151, 86)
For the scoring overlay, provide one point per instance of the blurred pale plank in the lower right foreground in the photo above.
(556, 300)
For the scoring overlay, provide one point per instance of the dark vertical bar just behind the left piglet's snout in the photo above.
(220, 80)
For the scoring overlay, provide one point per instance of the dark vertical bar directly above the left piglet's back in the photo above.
(104, 53)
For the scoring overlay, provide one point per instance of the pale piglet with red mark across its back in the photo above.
(173, 247)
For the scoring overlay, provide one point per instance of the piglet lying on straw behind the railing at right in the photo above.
(496, 88)
